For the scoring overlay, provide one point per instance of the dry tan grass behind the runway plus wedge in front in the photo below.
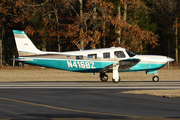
(32, 73)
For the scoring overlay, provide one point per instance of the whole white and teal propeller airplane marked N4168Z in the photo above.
(114, 59)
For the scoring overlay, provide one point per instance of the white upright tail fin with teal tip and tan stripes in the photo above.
(24, 45)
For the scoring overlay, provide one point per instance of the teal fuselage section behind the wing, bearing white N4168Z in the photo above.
(71, 65)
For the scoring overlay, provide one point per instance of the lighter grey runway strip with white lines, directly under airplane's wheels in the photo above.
(92, 85)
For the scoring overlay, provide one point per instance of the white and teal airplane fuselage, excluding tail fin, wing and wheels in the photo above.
(94, 60)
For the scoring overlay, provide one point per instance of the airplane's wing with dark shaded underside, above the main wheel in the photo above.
(123, 65)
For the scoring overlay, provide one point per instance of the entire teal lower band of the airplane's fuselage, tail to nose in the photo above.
(88, 65)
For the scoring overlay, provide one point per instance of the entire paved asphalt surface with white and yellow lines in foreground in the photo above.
(85, 101)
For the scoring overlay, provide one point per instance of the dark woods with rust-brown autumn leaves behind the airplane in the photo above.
(143, 26)
